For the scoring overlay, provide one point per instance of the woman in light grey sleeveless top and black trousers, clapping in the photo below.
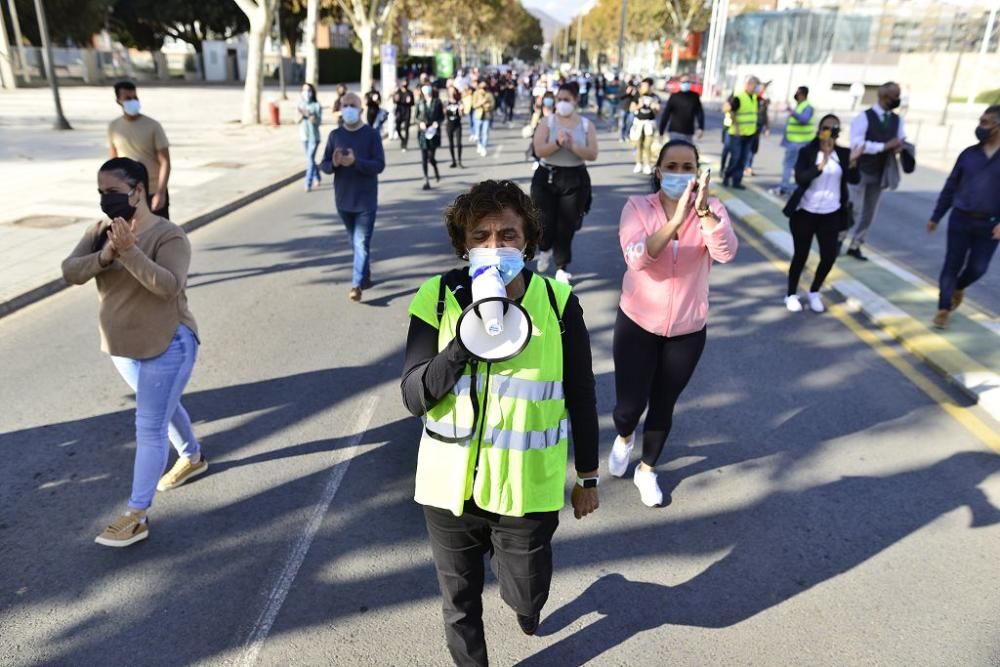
(560, 189)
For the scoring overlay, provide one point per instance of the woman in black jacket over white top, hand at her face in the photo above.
(819, 207)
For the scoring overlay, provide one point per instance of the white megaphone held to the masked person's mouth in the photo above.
(494, 327)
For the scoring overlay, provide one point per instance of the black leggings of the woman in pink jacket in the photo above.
(651, 370)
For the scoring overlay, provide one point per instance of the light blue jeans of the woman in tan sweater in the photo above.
(160, 418)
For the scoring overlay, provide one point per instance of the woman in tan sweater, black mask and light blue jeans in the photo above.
(140, 263)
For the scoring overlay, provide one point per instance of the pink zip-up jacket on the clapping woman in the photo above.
(665, 296)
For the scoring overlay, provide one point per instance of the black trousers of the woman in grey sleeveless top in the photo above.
(561, 196)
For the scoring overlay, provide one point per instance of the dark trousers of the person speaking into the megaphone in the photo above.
(521, 558)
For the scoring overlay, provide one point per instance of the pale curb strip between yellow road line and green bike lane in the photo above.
(976, 381)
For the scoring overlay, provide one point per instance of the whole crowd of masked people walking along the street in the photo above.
(491, 480)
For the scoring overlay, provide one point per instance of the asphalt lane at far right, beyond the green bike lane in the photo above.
(900, 228)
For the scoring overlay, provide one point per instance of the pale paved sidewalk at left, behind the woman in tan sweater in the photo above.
(48, 179)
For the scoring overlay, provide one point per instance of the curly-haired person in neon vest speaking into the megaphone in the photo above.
(491, 466)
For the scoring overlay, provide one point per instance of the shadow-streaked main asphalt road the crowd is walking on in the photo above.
(825, 510)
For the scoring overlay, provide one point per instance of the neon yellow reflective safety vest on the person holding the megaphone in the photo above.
(508, 451)
